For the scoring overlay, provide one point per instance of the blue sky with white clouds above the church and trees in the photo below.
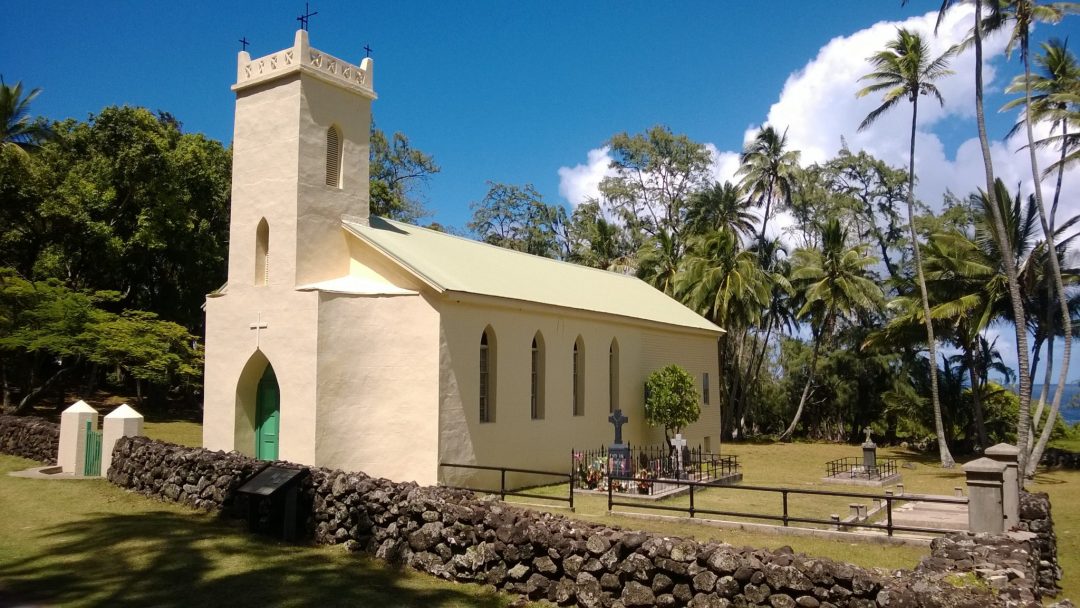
(529, 92)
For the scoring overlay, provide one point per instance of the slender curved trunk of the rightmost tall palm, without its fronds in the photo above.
(1056, 273)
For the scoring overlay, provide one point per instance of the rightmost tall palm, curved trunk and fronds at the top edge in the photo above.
(1024, 15)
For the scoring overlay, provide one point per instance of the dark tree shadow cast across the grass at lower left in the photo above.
(163, 559)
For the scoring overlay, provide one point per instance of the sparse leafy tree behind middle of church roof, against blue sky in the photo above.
(517, 219)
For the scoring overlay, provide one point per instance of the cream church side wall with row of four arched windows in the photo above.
(517, 440)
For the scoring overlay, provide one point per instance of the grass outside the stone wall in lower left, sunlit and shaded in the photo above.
(90, 544)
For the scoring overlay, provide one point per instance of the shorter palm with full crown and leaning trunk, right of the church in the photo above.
(835, 288)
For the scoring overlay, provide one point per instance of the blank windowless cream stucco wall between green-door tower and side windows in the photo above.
(379, 389)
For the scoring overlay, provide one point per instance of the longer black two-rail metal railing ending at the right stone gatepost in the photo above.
(888, 501)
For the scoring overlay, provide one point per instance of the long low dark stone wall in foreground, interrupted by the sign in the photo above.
(453, 535)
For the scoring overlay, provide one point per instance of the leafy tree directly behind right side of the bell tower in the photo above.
(397, 171)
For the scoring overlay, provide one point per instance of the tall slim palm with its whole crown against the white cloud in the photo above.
(906, 71)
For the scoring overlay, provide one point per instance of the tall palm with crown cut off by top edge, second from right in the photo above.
(1016, 299)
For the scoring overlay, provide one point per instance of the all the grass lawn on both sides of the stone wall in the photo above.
(53, 558)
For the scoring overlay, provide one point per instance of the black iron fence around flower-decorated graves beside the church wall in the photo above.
(647, 470)
